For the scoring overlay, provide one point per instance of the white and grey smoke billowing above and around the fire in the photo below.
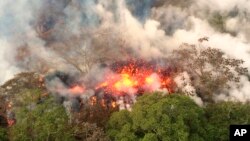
(79, 36)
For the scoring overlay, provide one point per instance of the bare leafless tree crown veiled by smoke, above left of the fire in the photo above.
(82, 52)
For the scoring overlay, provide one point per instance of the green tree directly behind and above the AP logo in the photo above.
(221, 115)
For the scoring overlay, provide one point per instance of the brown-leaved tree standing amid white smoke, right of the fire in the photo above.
(211, 71)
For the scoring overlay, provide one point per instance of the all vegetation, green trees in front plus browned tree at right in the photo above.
(155, 116)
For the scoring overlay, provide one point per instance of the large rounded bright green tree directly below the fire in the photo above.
(159, 117)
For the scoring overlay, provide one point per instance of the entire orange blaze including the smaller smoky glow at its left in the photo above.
(120, 86)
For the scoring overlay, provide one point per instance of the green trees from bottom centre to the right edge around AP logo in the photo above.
(176, 117)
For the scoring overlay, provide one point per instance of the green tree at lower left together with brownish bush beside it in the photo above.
(41, 118)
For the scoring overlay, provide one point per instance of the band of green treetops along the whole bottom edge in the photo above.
(154, 117)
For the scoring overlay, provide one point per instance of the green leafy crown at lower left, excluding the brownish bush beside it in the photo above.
(45, 121)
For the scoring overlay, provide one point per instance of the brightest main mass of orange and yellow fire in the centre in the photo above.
(134, 79)
